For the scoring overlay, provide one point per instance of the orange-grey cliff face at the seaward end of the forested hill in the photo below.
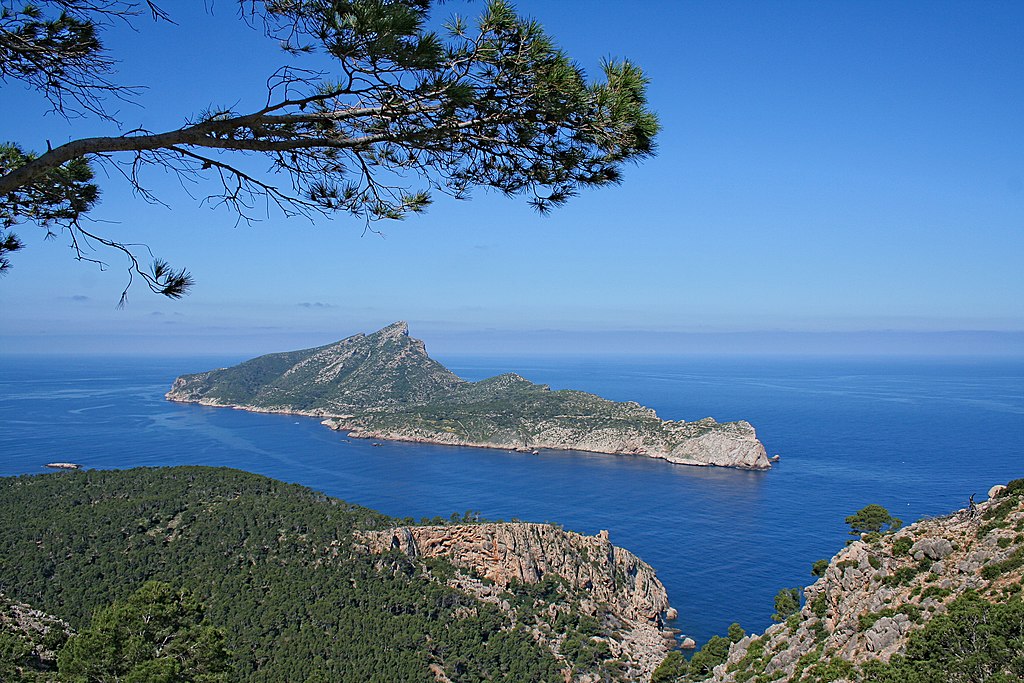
(582, 574)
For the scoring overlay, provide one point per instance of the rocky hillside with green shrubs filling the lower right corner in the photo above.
(860, 619)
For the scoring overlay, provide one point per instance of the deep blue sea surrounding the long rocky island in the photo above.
(919, 437)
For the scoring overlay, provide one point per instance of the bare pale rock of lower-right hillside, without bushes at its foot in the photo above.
(879, 591)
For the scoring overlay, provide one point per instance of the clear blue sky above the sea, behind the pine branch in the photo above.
(829, 174)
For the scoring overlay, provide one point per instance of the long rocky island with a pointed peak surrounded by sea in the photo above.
(386, 387)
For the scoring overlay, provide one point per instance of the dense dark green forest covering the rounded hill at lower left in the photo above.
(274, 565)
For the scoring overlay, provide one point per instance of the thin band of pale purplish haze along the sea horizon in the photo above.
(445, 338)
